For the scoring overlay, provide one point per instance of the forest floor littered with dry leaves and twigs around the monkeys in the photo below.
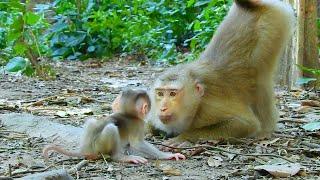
(87, 89)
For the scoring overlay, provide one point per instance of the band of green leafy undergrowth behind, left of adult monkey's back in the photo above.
(163, 30)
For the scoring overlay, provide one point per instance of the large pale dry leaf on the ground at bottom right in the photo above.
(281, 170)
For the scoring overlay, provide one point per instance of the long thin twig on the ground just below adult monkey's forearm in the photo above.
(230, 152)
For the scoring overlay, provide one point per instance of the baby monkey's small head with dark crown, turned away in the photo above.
(133, 102)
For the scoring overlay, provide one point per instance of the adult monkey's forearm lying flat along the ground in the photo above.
(235, 127)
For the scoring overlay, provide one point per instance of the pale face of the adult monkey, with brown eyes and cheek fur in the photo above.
(176, 100)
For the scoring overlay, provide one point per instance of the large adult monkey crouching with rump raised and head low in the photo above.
(228, 92)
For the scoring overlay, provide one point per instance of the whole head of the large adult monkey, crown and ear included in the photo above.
(175, 97)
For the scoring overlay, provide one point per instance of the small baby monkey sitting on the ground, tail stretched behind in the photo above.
(122, 130)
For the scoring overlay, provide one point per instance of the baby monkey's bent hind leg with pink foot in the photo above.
(109, 142)
